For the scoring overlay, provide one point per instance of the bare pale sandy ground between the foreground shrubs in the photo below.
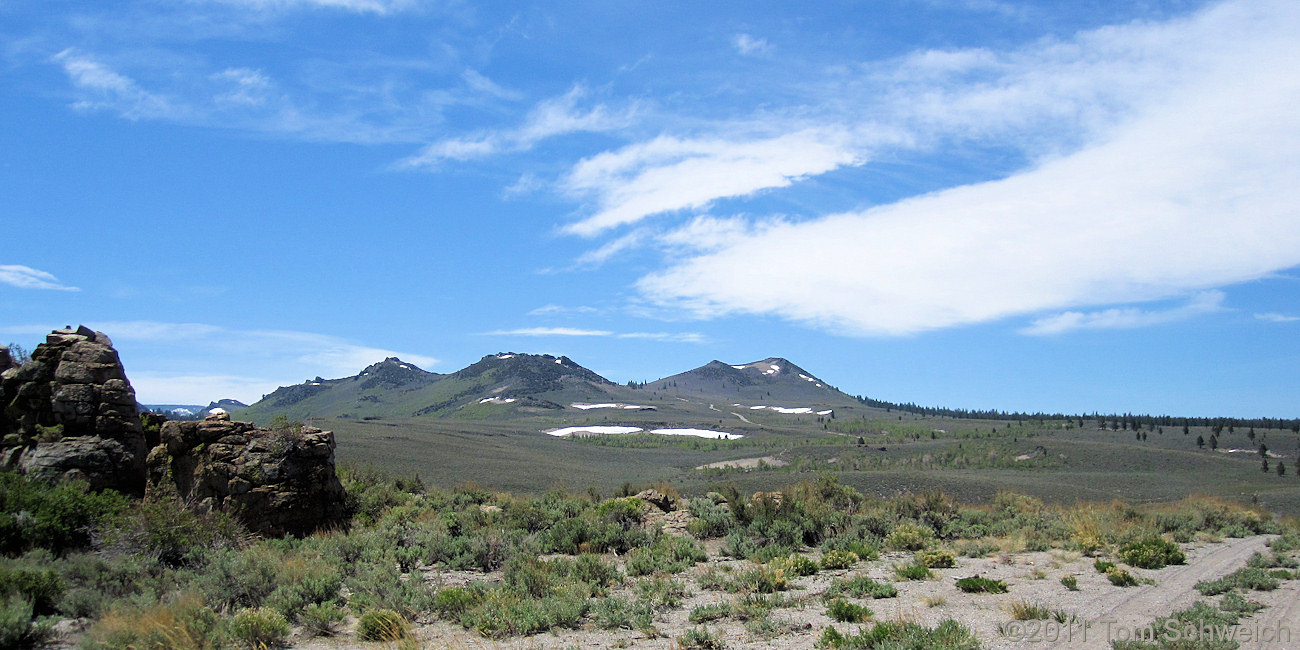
(1033, 578)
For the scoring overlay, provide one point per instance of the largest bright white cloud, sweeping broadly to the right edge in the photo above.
(1184, 180)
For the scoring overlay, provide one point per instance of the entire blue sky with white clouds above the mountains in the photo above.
(972, 203)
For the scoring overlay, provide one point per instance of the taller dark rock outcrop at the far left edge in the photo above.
(71, 414)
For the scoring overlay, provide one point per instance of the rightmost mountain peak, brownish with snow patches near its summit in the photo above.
(774, 382)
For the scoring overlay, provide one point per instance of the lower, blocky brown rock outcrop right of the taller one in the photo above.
(275, 482)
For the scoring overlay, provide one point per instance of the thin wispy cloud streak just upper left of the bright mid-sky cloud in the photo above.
(549, 119)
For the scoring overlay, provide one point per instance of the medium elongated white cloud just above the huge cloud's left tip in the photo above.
(670, 175)
